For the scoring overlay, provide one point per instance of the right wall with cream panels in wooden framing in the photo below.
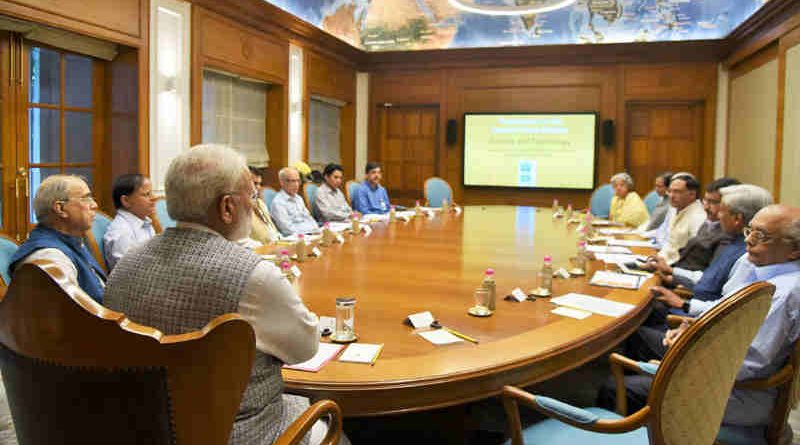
(761, 111)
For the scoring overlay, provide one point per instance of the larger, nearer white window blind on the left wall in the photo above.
(235, 114)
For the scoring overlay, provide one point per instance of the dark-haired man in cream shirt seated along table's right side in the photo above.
(689, 215)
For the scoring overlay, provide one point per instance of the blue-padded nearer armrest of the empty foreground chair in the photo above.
(566, 413)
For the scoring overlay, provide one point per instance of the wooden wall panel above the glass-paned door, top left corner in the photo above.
(121, 21)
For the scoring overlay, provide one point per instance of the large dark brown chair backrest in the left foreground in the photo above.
(76, 372)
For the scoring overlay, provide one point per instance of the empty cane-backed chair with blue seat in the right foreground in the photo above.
(679, 410)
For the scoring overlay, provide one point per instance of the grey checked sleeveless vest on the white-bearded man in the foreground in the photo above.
(179, 281)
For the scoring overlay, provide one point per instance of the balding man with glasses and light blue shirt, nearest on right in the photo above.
(773, 255)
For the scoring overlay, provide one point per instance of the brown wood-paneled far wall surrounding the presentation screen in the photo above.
(602, 88)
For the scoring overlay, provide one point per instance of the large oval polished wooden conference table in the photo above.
(434, 265)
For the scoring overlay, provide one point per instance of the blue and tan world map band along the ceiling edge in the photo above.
(398, 25)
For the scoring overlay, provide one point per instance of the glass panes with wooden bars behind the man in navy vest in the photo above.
(61, 117)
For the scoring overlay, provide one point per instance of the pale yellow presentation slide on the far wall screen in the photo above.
(530, 150)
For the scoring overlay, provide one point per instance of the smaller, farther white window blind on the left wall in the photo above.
(323, 133)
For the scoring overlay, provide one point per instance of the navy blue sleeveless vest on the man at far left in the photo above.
(90, 274)
